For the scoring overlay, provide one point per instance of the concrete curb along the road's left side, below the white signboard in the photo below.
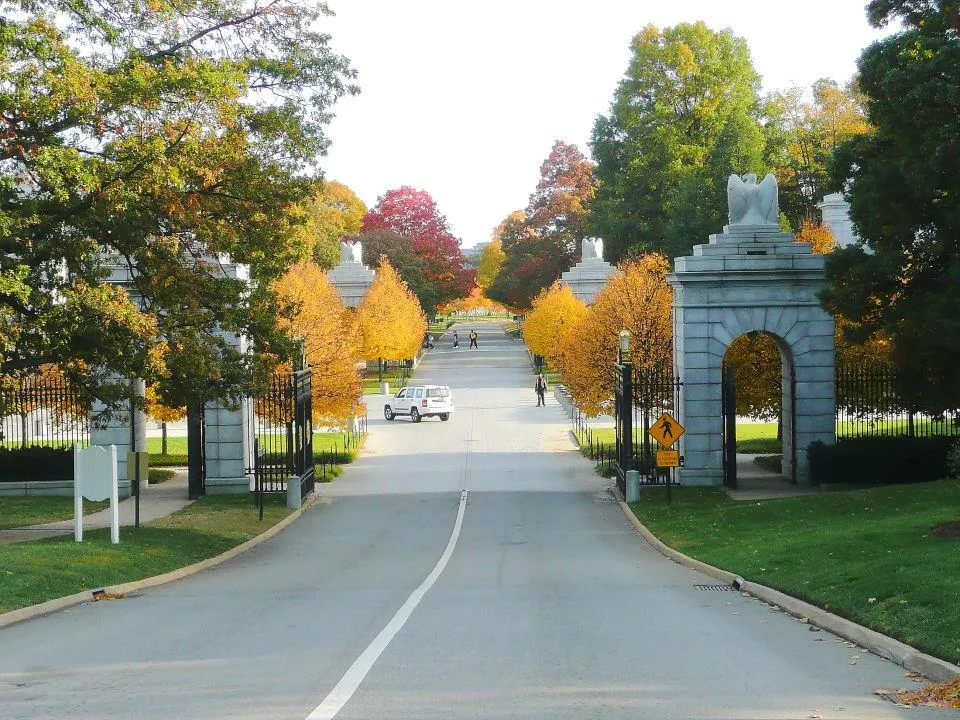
(51, 606)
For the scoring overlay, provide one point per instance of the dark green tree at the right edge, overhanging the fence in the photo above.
(903, 187)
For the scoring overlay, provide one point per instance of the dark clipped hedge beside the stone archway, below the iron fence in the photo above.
(880, 460)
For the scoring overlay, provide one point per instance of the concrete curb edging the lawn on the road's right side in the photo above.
(886, 647)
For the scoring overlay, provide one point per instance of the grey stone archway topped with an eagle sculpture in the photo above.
(751, 278)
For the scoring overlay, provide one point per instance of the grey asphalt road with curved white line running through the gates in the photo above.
(475, 568)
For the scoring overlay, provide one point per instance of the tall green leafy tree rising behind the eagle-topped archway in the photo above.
(684, 117)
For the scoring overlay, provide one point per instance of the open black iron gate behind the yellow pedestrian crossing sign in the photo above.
(642, 394)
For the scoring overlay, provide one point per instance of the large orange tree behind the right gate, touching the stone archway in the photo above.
(636, 298)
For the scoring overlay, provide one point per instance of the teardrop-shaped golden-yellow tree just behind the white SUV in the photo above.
(390, 321)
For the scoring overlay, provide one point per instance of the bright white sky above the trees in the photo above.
(465, 99)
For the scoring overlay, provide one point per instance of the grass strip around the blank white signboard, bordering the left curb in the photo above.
(45, 569)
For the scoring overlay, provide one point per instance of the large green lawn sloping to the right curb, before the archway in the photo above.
(867, 555)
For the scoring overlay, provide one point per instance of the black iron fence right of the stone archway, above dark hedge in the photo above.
(869, 405)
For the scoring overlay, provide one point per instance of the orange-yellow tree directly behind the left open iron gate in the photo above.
(329, 338)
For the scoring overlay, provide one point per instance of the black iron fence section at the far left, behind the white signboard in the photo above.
(42, 411)
